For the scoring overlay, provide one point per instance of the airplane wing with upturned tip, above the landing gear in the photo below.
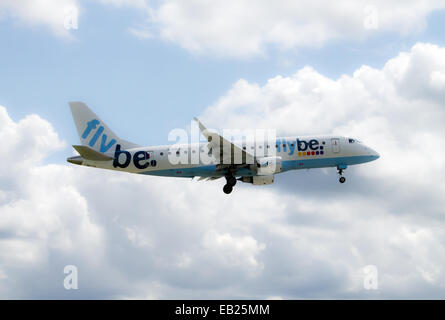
(224, 150)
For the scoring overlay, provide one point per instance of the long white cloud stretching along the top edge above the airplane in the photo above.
(245, 28)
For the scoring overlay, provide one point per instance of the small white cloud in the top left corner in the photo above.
(50, 13)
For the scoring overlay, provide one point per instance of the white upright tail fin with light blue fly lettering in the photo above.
(93, 132)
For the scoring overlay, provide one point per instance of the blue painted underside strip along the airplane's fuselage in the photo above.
(210, 170)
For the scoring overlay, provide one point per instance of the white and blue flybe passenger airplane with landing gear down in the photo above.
(234, 160)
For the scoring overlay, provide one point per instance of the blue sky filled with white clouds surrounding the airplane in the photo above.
(371, 70)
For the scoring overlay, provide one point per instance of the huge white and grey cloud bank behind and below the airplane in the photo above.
(306, 236)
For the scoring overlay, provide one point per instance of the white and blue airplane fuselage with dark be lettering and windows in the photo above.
(295, 153)
